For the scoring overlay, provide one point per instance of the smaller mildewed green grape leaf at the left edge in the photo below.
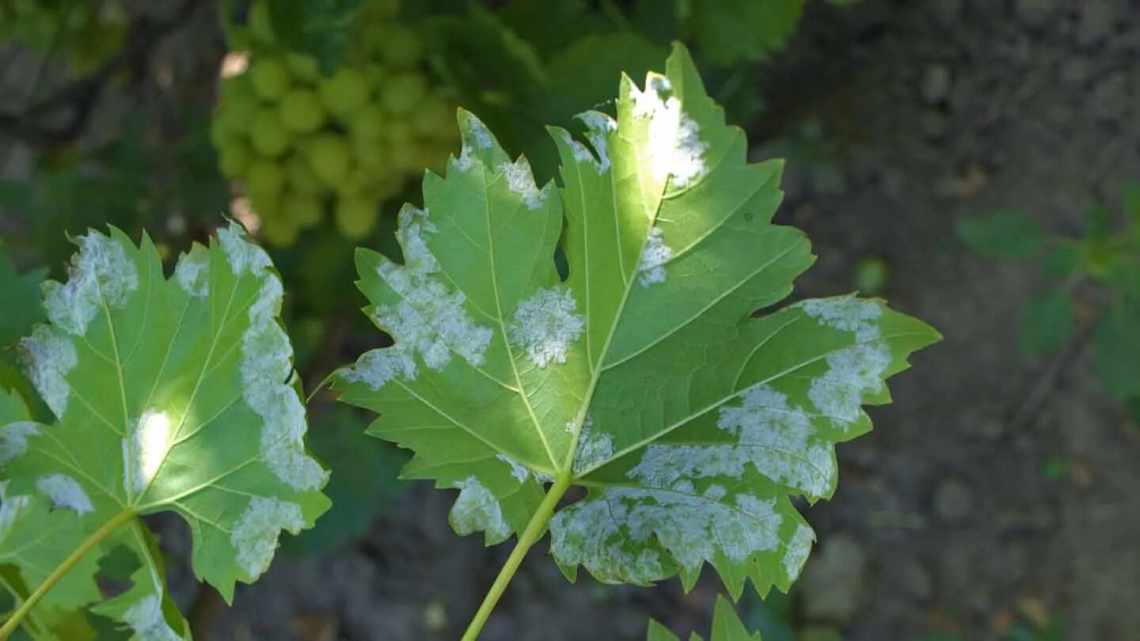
(169, 394)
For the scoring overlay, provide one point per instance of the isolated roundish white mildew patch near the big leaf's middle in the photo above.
(547, 326)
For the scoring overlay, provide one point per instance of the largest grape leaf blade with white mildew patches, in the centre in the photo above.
(642, 376)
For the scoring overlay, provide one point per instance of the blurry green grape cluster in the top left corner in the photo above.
(86, 33)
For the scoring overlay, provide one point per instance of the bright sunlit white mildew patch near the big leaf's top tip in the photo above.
(675, 145)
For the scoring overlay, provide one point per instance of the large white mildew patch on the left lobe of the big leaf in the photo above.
(430, 320)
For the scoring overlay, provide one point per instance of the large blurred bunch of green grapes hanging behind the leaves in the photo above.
(303, 142)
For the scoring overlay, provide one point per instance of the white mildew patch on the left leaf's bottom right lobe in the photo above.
(255, 535)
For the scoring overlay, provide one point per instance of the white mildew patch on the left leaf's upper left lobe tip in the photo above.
(101, 274)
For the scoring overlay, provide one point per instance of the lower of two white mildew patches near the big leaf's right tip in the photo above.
(853, 372)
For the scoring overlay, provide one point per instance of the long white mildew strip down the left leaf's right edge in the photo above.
(266, 366)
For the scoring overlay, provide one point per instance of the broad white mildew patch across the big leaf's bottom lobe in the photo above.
(612, 532)
